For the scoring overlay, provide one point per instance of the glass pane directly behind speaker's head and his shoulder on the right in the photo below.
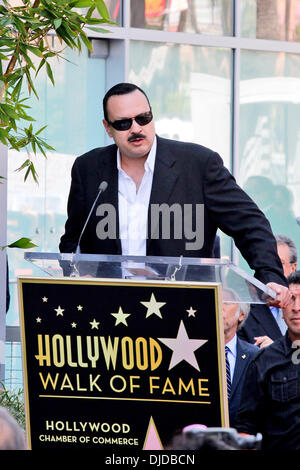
(191, 102)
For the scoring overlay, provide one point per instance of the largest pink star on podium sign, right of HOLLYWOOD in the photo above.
(183, 347)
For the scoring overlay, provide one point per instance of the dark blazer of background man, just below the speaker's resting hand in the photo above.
(260, 322)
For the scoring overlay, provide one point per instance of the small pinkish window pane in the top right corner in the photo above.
(271, 19)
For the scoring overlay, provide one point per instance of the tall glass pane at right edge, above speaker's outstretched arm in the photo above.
(270, 137)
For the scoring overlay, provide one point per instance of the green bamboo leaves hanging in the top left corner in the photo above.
(25, 37)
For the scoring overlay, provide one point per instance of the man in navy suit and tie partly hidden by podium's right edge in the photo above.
(239, 353)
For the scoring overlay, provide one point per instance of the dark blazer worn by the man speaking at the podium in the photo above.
(184, 173)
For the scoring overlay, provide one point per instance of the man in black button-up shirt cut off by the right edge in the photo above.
(270, 402)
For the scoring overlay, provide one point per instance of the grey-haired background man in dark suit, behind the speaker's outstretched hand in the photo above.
(264, 324)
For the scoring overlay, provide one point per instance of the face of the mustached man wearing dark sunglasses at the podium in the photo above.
(137, 141)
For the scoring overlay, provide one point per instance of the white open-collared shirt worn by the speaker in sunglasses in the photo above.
(133, 206)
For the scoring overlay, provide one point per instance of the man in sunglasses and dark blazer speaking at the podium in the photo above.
(145, 173)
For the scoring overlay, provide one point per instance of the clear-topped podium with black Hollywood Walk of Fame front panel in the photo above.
(123, 352)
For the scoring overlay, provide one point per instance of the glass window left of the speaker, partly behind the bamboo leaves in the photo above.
(72, 111)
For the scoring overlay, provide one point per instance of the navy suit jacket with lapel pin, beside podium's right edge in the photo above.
(245, 353)
